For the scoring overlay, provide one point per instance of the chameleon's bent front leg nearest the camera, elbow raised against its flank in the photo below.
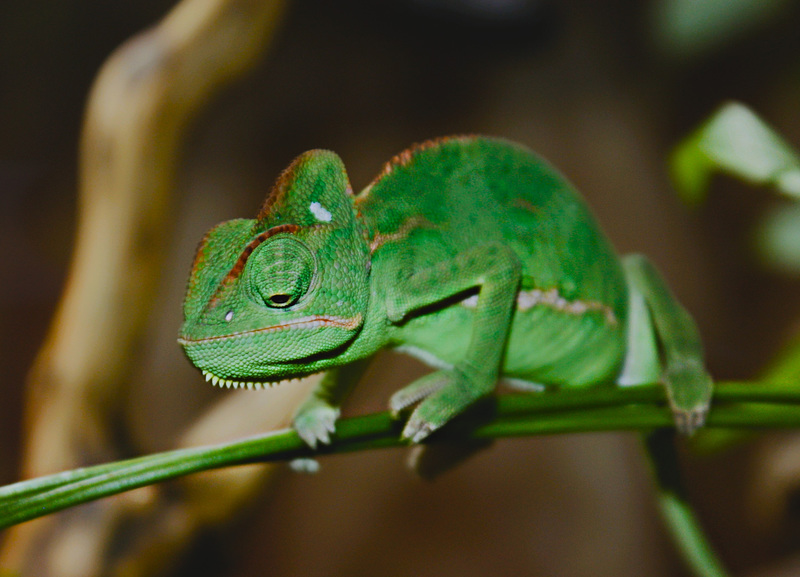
(495, 270)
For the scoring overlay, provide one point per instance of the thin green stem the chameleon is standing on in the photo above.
(736, 405)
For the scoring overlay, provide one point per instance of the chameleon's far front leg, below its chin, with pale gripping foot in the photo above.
(315, 419)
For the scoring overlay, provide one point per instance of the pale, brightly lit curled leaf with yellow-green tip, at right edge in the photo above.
(736, 142)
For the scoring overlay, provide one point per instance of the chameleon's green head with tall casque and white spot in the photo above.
(280, 296)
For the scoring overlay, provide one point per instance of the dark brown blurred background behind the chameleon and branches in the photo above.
(602, 89)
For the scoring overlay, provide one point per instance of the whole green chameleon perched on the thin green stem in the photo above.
(469, 253)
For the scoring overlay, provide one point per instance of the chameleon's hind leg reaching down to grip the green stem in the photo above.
(682, 370)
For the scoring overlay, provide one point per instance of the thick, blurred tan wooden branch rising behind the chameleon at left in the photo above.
(144, 97)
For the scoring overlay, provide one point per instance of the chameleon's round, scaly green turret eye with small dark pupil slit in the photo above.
(280, 272)
